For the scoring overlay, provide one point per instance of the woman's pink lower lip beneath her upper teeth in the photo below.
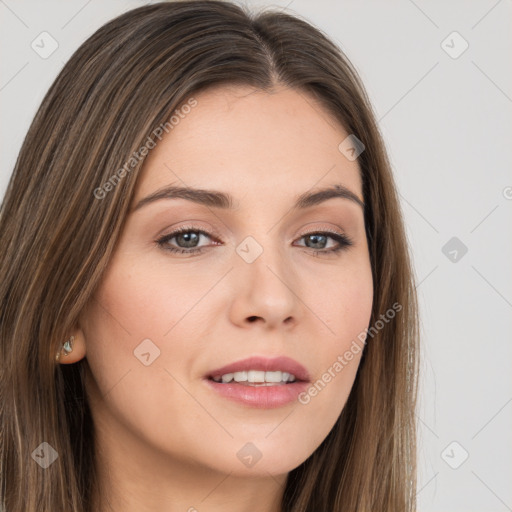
(260, 397)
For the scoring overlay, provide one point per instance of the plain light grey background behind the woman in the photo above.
(446, 120)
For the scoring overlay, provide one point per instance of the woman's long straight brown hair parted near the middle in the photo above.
(57, 238)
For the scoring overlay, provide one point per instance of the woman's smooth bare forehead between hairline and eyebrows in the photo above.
(251, 143)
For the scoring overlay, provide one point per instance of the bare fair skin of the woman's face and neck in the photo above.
(165, 441)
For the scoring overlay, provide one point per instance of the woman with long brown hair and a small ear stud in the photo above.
(207, 298)
